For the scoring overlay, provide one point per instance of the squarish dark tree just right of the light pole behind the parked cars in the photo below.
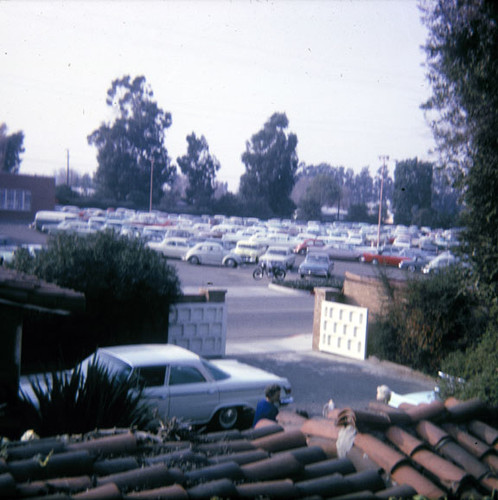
(412, 190)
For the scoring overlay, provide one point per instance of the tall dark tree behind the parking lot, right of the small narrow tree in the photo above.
(271, 164)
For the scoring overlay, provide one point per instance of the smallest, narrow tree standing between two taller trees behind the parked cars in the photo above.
(200, 167)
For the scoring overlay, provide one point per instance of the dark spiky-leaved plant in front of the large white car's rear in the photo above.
(80, 401)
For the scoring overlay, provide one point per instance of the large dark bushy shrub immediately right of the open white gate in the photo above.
(433, 317)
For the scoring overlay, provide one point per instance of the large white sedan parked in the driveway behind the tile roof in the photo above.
(181, 384)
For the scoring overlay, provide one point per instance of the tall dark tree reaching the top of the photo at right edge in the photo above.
(463, 71)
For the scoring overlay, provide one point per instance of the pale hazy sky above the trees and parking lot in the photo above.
(349, 75)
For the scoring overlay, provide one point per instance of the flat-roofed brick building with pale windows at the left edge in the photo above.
(21, 196)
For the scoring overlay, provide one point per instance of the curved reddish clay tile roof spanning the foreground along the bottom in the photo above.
(438, 450)
